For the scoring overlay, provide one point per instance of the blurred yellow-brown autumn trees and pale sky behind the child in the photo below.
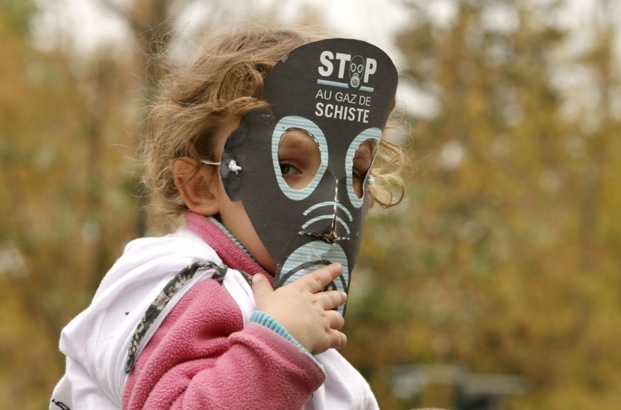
(496, 284)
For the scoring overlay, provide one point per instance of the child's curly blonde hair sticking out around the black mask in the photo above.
(225, 82)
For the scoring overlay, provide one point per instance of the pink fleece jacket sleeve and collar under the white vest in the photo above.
(202, 356)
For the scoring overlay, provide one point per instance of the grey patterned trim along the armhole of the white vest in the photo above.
(162, 300)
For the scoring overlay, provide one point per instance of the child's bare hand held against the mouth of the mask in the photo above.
(305, 311)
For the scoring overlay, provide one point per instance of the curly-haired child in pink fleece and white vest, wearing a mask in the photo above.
(263, 148)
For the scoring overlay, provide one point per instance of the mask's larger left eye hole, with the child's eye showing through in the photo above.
(299, 157)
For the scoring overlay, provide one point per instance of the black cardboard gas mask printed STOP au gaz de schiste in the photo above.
(301, 170)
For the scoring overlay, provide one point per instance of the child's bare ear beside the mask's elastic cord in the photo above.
(197, 186)
